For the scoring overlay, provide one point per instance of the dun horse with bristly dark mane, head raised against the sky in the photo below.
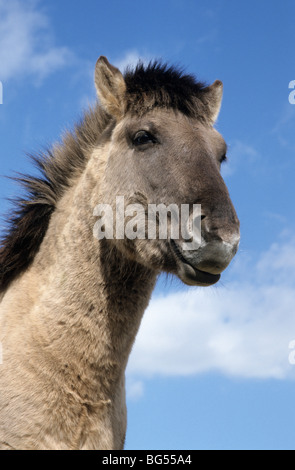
(71, 303)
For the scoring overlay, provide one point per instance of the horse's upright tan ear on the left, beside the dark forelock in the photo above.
(110, 87)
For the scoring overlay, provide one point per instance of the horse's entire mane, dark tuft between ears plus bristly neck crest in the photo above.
(154, 85)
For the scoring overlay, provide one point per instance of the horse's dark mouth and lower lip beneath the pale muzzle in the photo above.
(189, 274)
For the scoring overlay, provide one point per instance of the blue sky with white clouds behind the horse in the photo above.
(210, 367)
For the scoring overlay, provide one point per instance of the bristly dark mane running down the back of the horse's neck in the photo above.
(27, 224)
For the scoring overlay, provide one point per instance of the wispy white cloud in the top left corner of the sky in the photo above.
(26, 42)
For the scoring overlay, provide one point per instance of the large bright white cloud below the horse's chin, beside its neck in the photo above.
(243, 330)
